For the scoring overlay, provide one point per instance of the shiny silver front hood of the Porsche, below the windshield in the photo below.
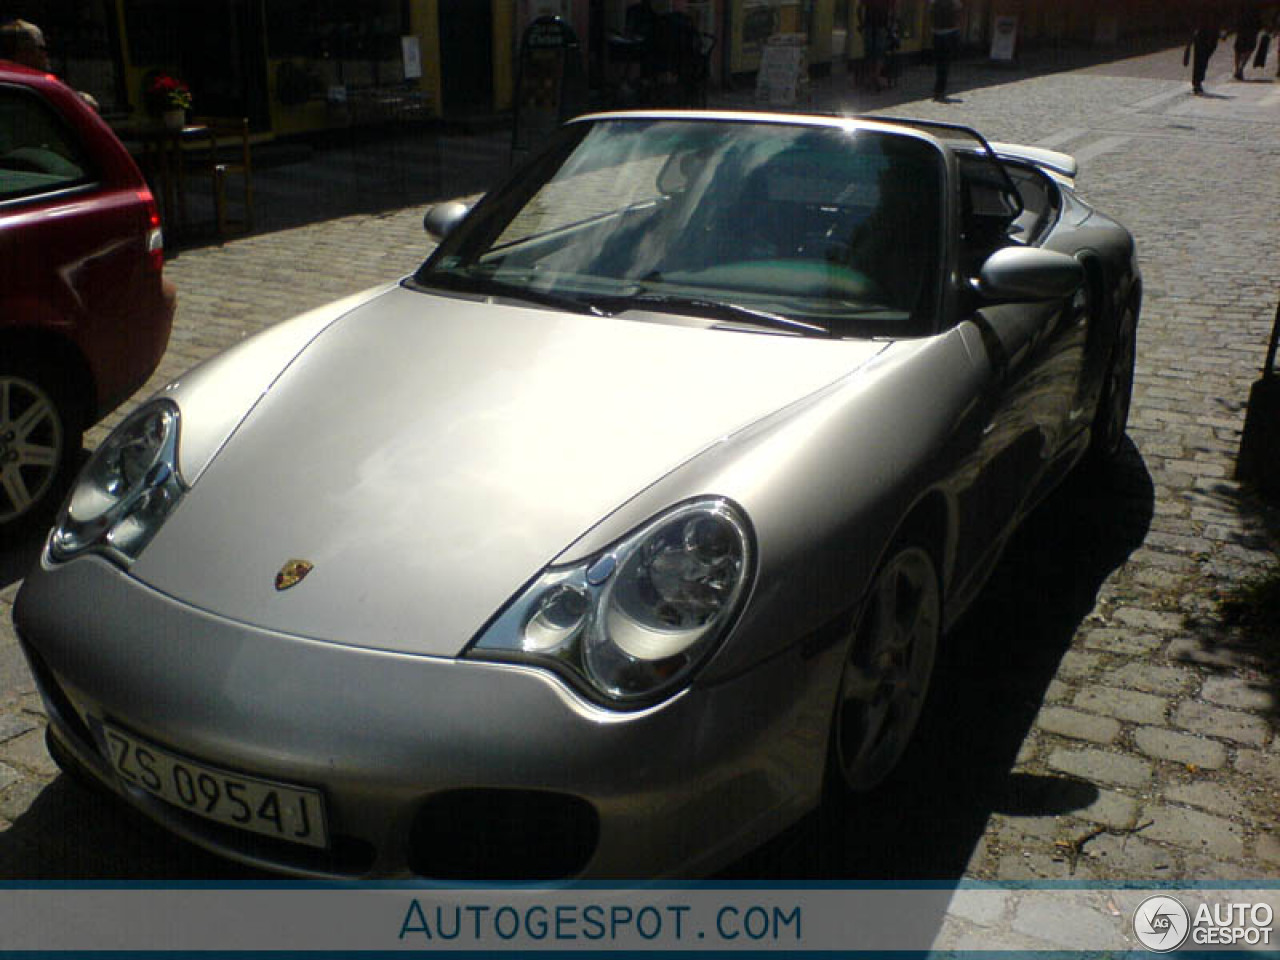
(429, 456)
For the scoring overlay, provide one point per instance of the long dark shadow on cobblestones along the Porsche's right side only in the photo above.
(991, 682)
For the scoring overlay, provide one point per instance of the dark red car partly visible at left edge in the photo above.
(85, 310)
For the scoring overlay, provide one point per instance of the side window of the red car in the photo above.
(39, 153)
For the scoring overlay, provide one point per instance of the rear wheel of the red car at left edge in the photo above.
(40, 438)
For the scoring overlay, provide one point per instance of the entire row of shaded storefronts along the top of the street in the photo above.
(305, 66)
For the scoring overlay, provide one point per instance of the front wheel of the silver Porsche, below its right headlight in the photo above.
(888, 671)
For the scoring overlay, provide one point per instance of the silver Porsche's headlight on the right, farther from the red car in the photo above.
(632, 625)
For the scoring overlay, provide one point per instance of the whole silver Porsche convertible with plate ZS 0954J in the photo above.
(614, 540)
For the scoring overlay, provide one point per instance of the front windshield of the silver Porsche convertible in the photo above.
(790, 228)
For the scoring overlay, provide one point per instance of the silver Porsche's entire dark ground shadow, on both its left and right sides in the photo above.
(994, 674)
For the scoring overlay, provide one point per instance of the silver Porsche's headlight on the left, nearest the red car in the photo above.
(126, 491)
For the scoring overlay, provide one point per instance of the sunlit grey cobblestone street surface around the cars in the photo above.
(1099, 716)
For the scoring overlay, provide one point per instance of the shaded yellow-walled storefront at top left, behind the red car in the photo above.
(290, 66)
